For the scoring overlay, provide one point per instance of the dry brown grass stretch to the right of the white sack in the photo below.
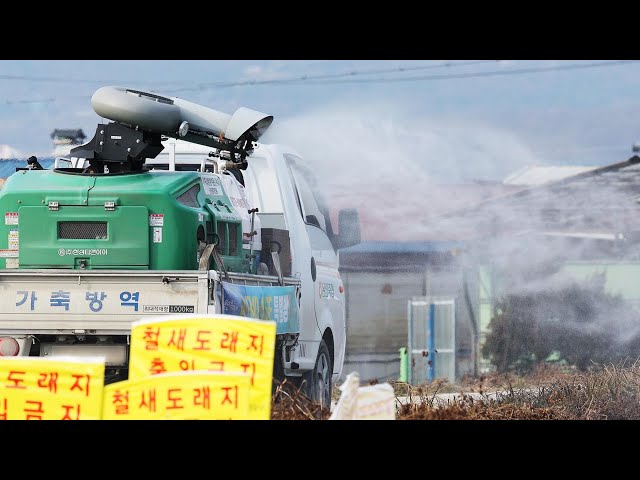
(605, 392)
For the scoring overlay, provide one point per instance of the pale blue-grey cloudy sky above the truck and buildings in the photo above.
(455, 120)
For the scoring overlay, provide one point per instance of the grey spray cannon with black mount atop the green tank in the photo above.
(142, 119)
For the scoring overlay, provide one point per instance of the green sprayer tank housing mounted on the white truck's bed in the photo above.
(143, 220)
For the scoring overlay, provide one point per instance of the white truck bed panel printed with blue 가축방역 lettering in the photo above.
(107, 301)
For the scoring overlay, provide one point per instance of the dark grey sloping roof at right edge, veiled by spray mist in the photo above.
(599, 201)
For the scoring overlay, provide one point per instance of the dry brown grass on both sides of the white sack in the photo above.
(607, 392)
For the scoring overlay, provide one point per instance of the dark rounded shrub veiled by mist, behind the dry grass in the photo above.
(581, 323)
